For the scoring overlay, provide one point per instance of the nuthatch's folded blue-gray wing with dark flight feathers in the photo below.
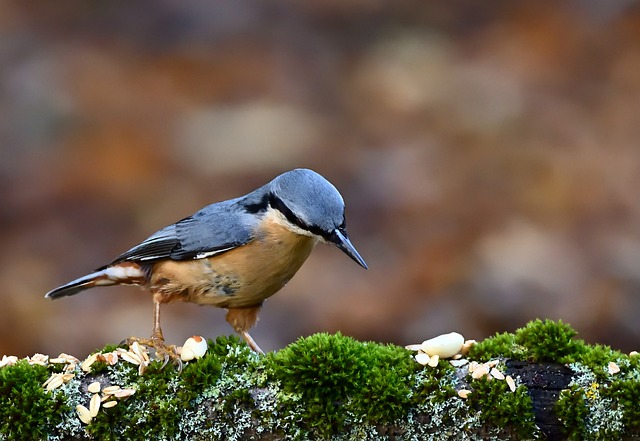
(213, 230)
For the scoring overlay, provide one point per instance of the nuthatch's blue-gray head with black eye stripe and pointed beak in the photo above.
(312, 206)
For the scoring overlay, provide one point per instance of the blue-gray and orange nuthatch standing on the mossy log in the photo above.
(232, 254)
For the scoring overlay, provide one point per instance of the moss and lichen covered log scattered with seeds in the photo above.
(537, 383)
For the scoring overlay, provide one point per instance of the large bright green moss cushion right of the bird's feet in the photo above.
(329, 377)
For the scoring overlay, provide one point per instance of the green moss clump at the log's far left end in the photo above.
(27, 410)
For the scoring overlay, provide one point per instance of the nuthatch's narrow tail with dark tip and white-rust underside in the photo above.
(125, 273)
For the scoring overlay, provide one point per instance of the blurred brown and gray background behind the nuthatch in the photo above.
(488, 153)
